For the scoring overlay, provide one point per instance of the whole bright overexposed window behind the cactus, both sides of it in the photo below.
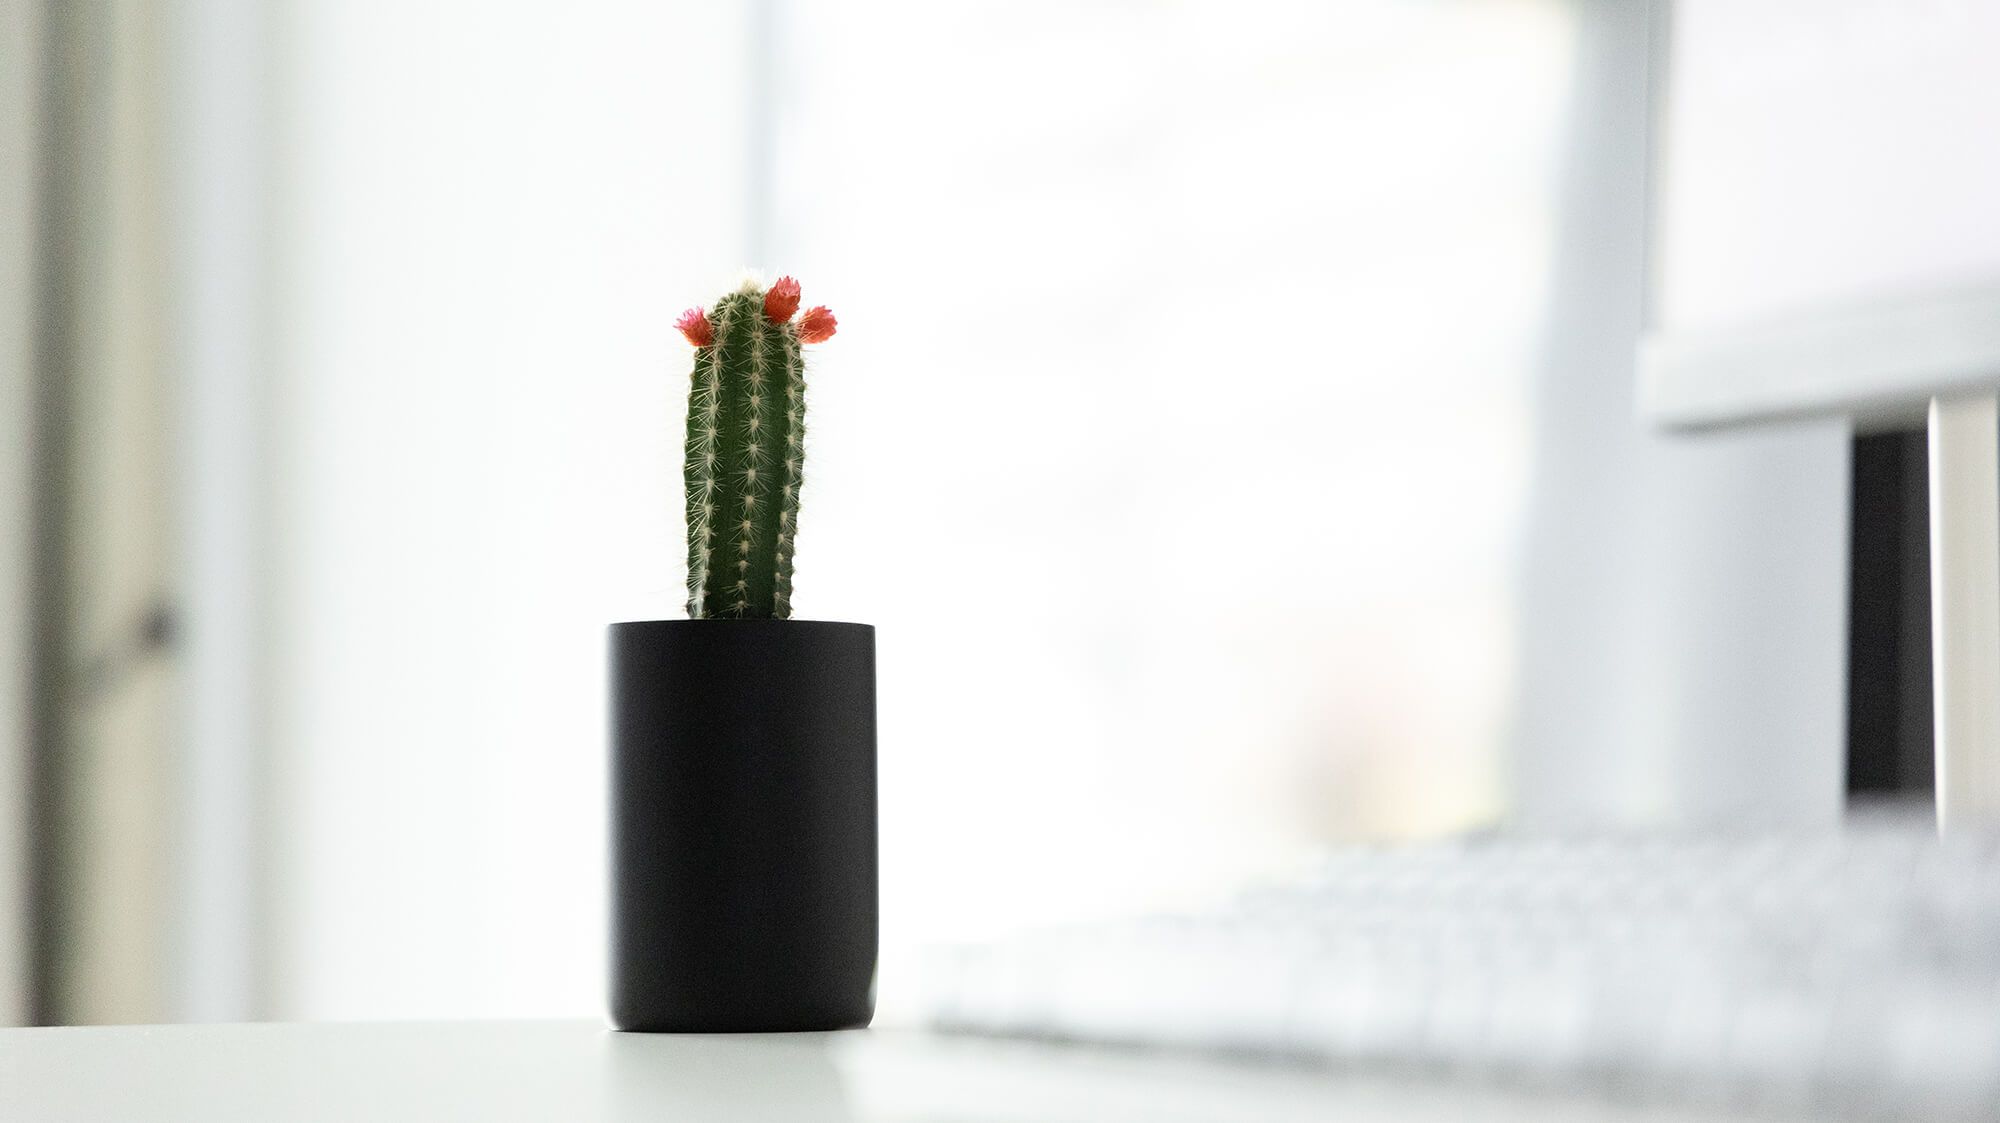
(1175, 439)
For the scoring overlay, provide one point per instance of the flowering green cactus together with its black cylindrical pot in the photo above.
(743, 740)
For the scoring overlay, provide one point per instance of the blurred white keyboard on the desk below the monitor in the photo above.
(1851, 974)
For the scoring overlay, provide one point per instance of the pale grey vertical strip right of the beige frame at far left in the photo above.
(223, 119)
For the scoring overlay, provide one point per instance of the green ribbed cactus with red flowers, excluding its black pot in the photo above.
(747, 455)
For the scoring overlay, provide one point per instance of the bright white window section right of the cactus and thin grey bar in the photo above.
(1177, 435)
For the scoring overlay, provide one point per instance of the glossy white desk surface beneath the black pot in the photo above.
(575, 1072)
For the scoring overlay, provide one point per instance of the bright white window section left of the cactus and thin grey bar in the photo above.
(491, 219)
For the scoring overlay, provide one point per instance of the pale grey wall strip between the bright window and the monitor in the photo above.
(1683, 598)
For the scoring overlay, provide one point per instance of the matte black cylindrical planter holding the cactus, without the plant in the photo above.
(743, 826)
